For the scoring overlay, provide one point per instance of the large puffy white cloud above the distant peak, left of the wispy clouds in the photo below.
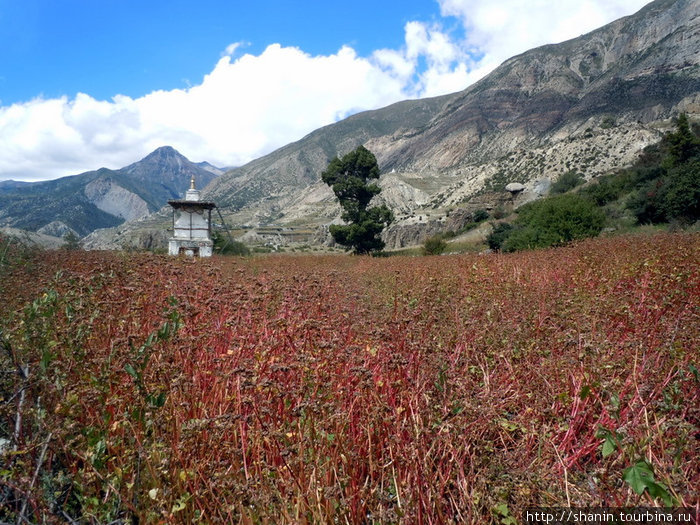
(243, 109)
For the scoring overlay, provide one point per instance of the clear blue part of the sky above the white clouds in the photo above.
(133, 47)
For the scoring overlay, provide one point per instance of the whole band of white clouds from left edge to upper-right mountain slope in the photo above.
(249, 105)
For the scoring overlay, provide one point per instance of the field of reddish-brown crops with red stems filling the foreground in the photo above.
(454, 389)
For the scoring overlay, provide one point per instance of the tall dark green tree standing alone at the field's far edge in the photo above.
(350, 178)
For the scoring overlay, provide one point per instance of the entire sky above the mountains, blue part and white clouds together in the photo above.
(92, 83)
